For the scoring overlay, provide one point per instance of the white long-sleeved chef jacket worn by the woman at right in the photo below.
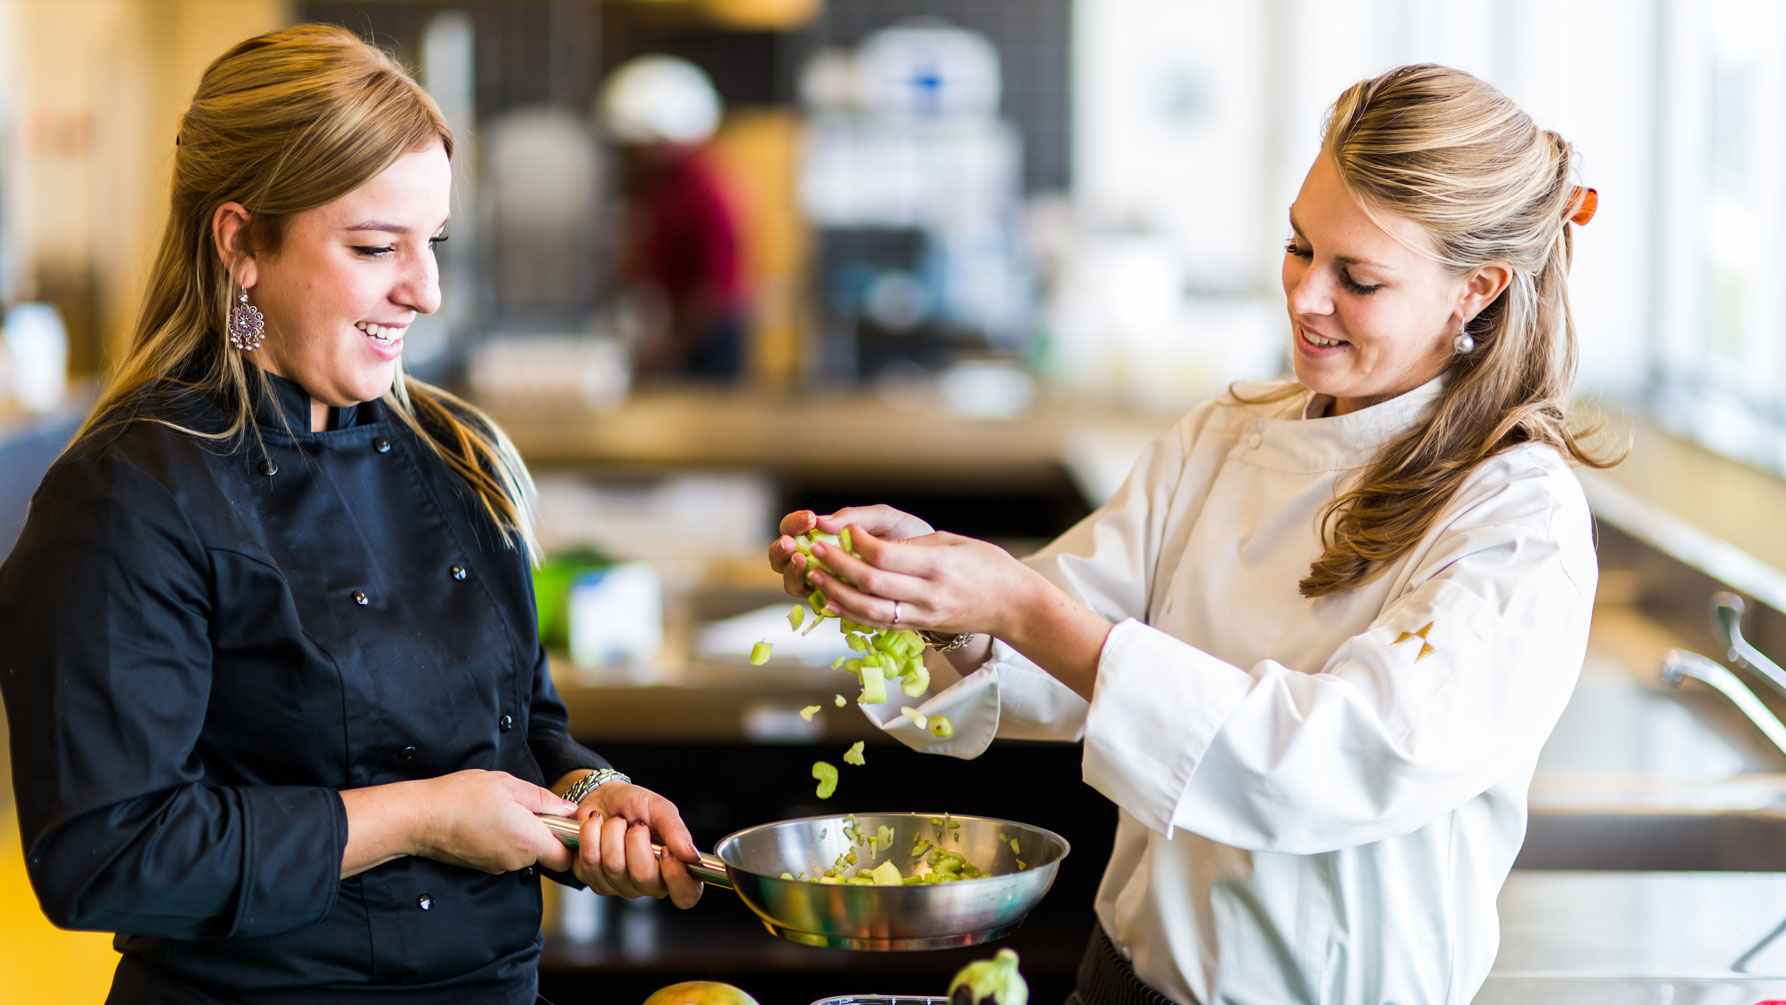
(1319, 799)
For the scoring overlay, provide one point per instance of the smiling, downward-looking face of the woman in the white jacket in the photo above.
(1371, 319)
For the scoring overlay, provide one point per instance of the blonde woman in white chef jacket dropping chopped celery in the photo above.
(1317, 640)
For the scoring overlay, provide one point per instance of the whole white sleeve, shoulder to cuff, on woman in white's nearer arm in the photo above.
(1451, 692)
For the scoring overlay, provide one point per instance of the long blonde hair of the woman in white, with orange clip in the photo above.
(1458, 158)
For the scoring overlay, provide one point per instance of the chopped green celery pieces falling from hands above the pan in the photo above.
(885, 654)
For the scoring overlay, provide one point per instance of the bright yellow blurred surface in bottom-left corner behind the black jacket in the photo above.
(42, 963)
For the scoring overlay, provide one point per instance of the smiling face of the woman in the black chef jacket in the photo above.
(349, 278)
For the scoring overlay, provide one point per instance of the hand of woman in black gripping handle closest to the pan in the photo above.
(615, 849)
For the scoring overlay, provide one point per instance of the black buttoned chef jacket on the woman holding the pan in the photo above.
(206, 644)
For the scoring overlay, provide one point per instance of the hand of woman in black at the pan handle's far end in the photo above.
(485, 820)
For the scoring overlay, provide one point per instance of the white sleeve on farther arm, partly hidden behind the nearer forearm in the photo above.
(1108, 563)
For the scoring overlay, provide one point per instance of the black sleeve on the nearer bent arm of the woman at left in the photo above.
(108, 674)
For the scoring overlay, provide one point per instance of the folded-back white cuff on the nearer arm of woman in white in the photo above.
(1156, 708)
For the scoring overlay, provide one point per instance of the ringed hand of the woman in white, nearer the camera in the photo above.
(940, 583)
